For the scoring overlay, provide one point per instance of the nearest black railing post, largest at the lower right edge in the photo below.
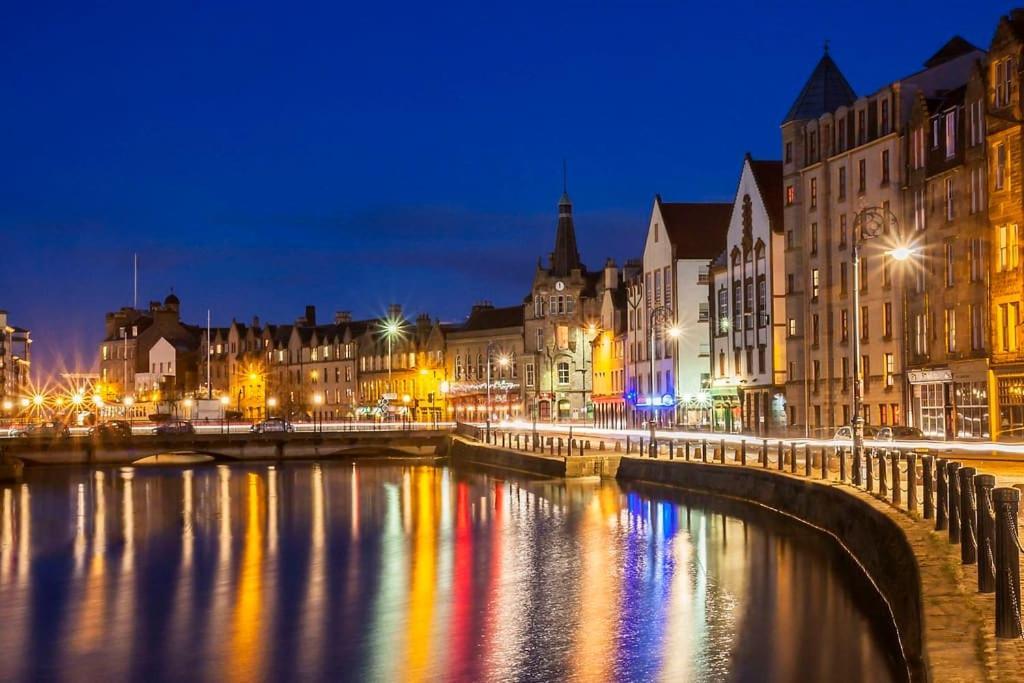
(1008, 565)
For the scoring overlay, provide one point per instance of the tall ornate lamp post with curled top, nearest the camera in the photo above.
(871, 223)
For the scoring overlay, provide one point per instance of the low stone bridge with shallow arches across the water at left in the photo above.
(199, 448)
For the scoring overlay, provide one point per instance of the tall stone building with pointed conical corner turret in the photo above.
(842, 155)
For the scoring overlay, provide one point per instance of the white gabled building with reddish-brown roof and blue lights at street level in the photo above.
(682, 240)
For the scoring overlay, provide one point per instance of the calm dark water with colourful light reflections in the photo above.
(397, 573)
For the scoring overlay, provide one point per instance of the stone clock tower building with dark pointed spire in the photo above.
(565, 301)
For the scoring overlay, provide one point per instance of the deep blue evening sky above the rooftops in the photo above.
(264, 157)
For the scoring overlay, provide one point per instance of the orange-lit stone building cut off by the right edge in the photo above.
(1005, 140)
